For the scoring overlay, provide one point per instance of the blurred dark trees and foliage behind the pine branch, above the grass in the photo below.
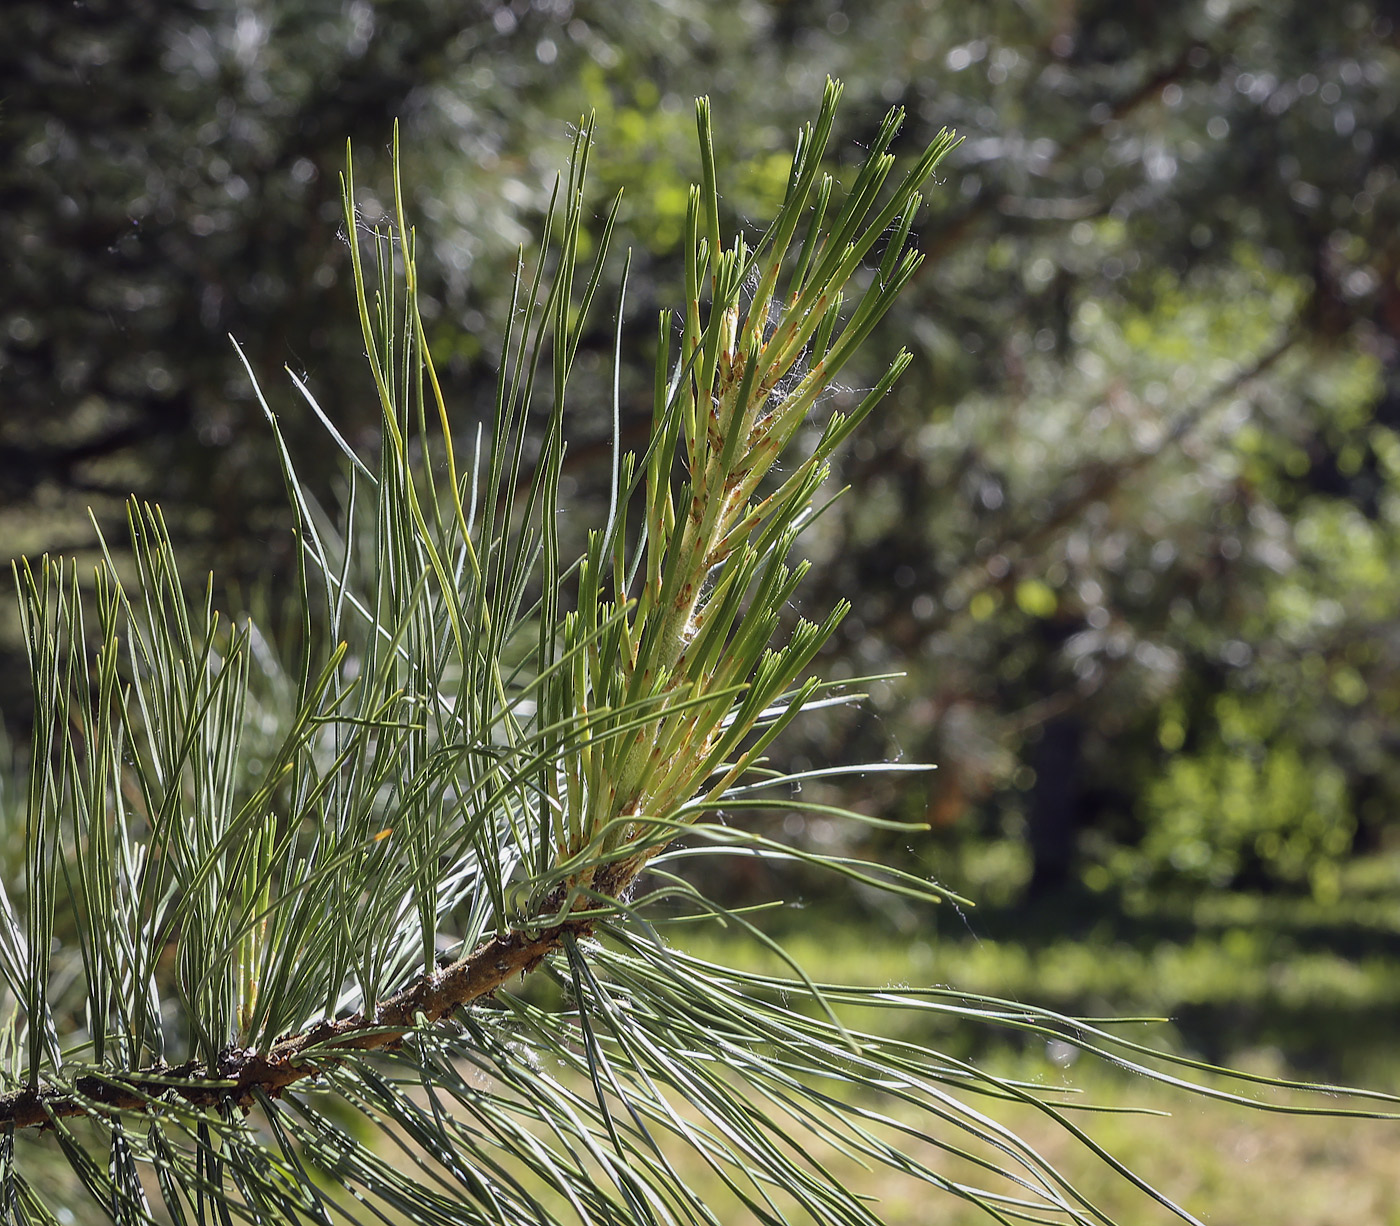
(1129, 527)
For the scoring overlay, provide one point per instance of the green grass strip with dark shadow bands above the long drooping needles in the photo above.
(1235, 973)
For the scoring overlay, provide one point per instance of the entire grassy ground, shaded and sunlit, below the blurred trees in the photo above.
(1280, 986)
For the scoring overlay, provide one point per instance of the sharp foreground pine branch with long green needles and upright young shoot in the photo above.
(267, 955)
